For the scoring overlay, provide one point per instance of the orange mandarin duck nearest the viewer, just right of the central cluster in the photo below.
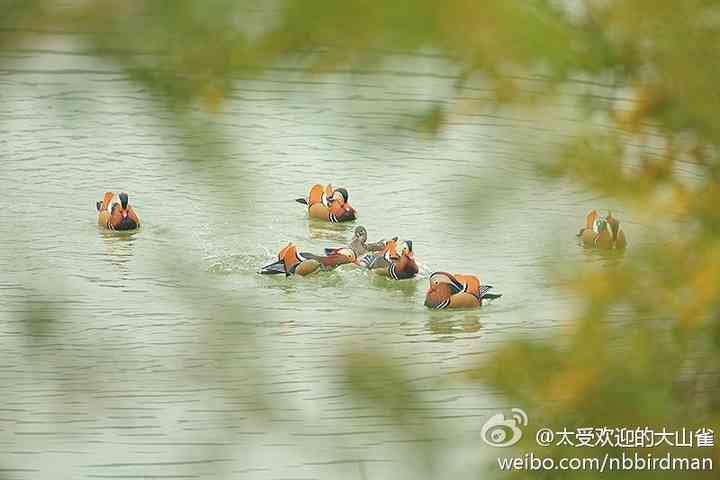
(456, 291)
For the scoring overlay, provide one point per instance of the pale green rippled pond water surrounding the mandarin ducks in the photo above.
(164, 354)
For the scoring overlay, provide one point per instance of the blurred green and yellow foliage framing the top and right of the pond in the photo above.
(660, 367)
